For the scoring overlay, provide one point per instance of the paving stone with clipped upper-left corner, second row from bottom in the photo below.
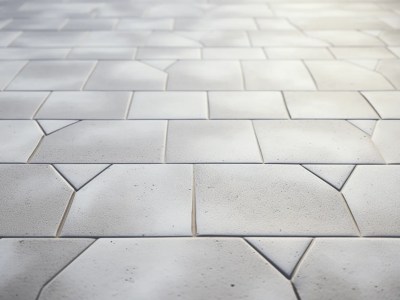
(134, 200)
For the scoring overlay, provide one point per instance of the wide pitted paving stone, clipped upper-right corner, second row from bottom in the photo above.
(280, 200)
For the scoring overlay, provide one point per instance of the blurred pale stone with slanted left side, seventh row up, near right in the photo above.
(345, 38)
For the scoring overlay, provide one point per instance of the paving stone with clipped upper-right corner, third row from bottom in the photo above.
(313, 141)
